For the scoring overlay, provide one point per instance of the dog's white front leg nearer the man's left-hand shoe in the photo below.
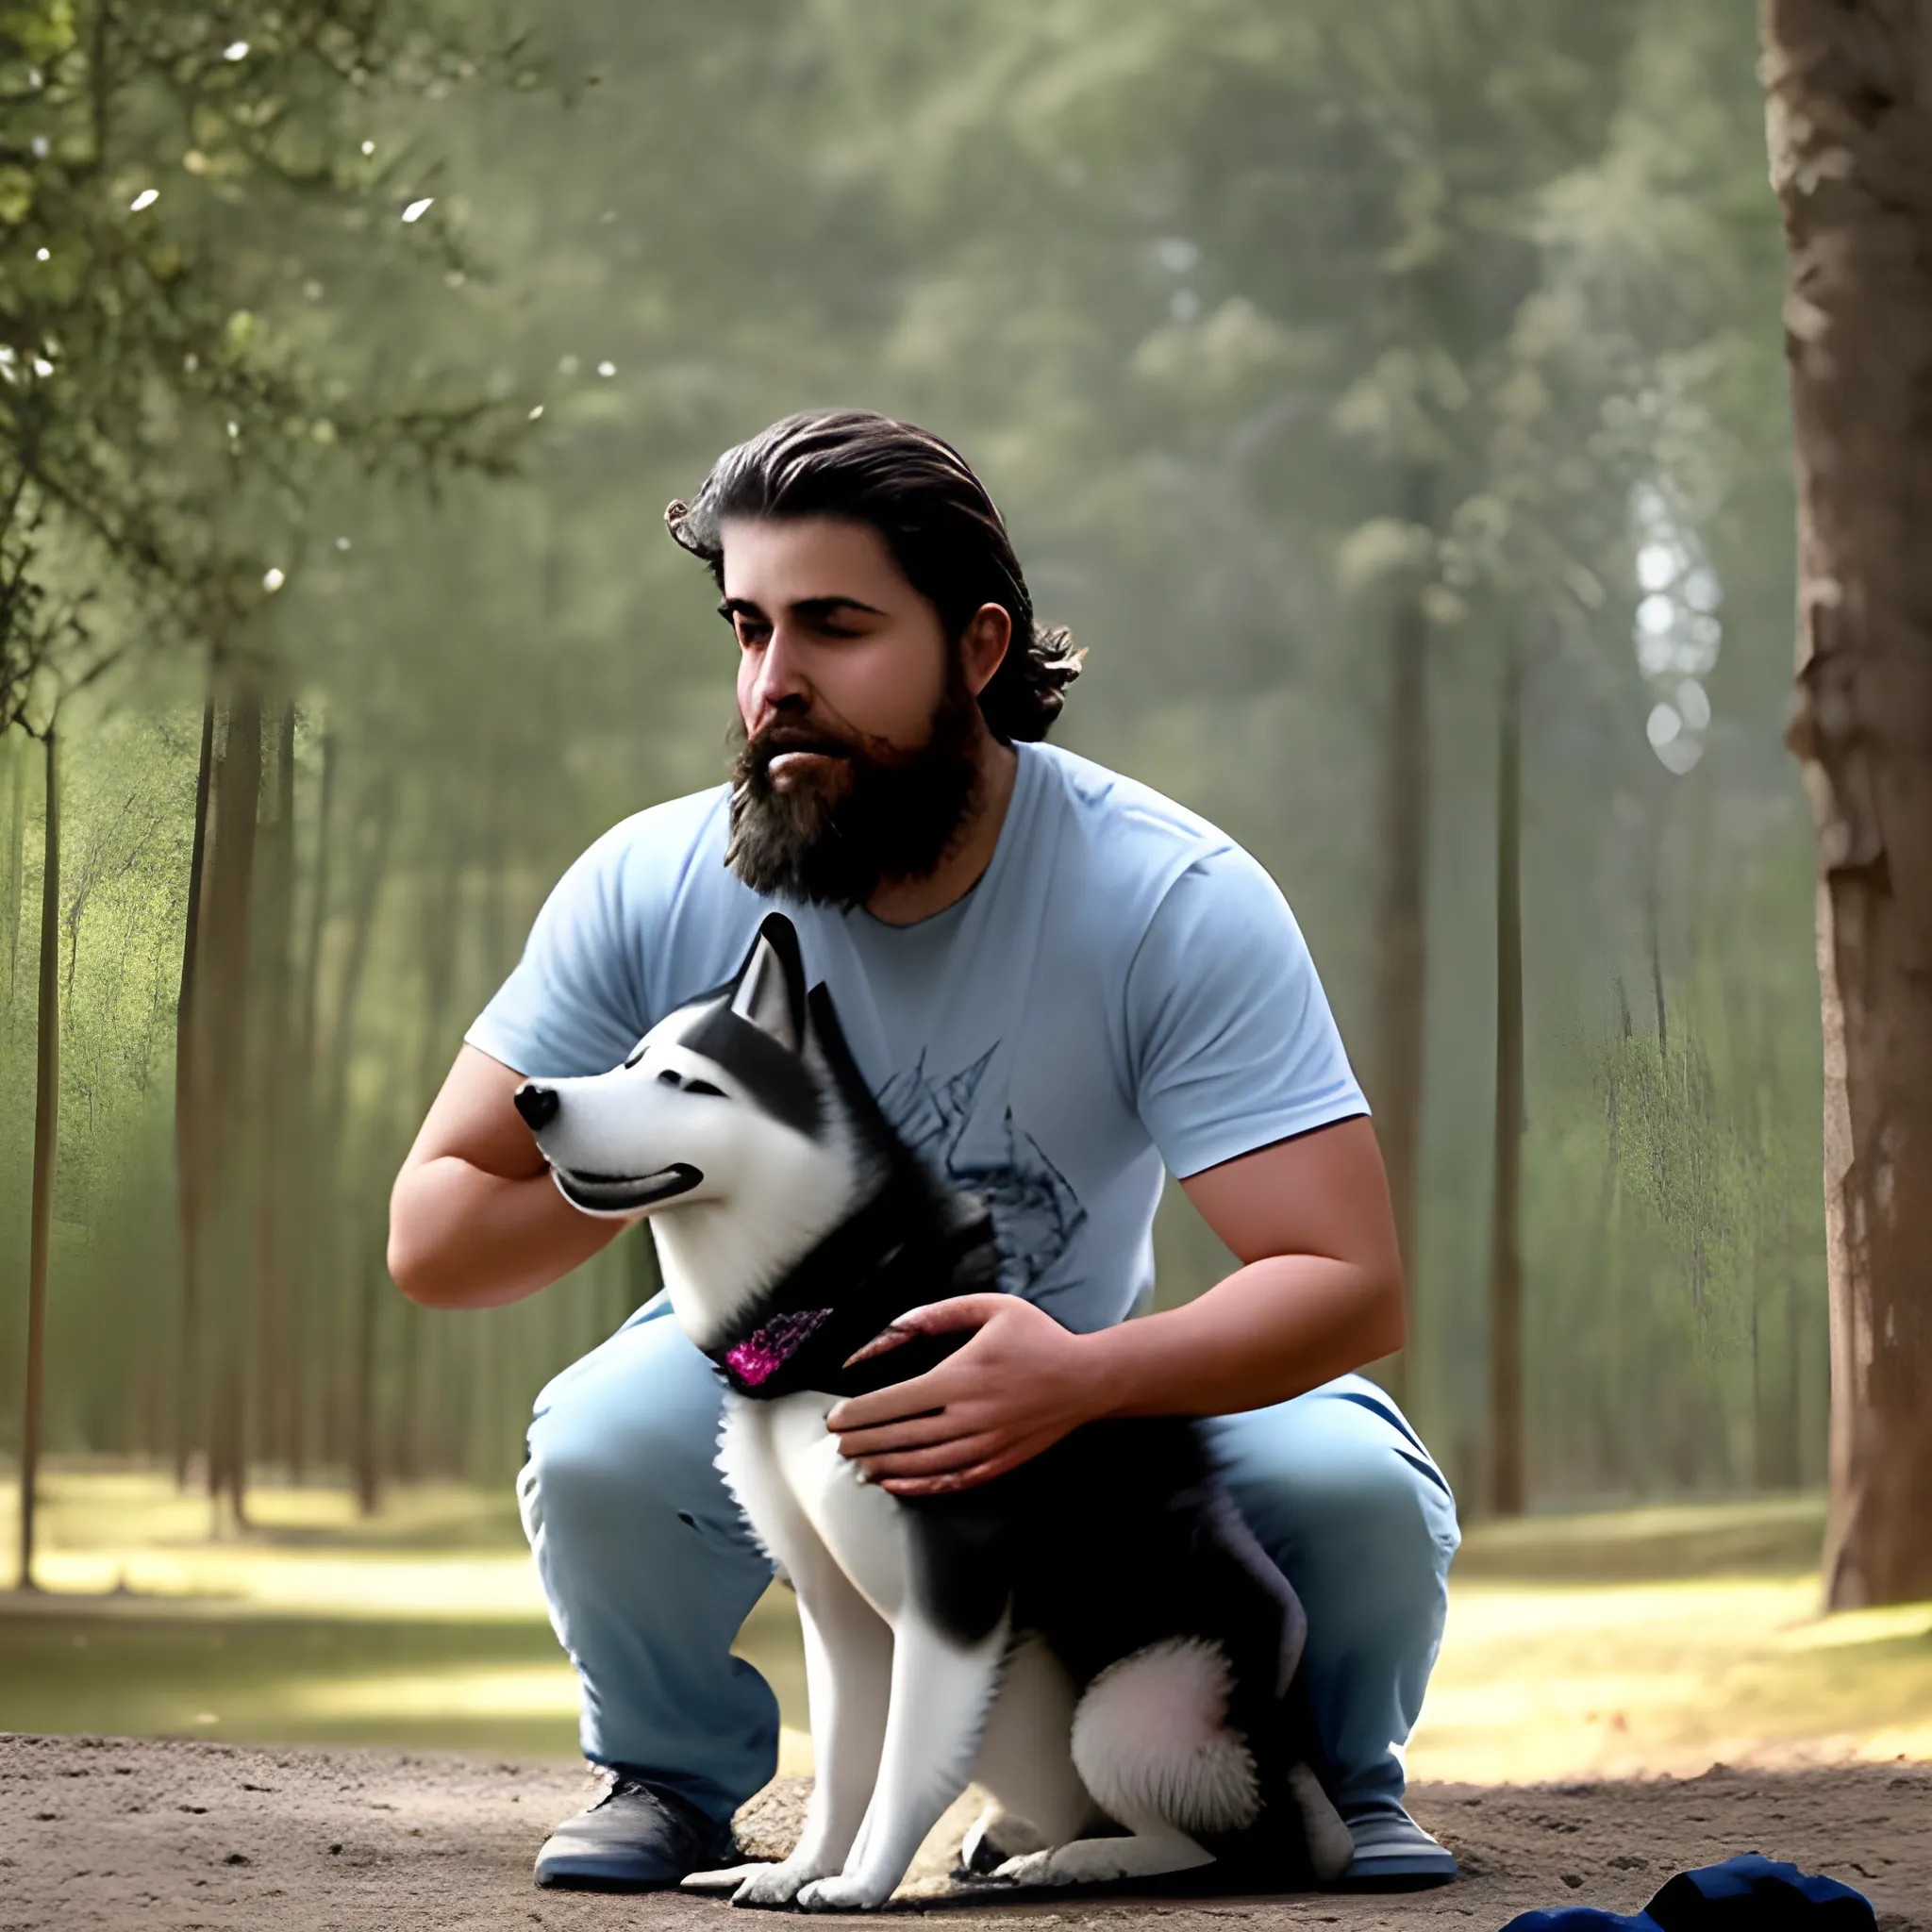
(849, 1672)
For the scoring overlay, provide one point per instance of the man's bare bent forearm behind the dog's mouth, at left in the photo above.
(461, 1237)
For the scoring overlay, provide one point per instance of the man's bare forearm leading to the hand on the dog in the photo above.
(1268, 1332)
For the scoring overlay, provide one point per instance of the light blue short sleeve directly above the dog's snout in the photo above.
(575, 1004)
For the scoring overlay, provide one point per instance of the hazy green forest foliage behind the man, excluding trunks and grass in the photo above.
(1255, 318)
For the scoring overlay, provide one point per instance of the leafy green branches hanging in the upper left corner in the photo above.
(173, 188)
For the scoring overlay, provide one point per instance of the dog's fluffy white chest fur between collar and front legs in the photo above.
(807, 1502)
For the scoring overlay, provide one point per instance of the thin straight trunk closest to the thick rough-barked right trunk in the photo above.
(1506, 1199)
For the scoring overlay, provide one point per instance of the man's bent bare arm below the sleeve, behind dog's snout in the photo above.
(474, 1218)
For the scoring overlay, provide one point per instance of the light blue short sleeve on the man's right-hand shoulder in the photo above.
(1232, 1038)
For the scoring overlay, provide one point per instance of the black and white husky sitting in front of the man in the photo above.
(1096, 1635)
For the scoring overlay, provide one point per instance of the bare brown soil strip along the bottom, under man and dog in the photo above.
(175, 1834)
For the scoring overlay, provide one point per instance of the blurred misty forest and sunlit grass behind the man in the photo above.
(1392, 399)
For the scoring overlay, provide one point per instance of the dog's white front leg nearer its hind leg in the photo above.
(942, 1695)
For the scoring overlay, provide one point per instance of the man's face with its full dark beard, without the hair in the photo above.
(861, 751)
